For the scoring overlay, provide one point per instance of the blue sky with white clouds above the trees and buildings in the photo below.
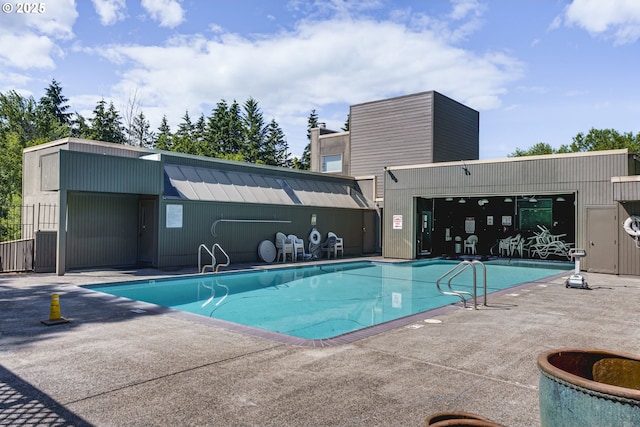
(536, 70)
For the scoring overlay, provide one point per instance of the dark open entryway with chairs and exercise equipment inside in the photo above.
(514, 226)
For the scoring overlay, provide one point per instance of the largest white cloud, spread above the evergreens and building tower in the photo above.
(319, 64)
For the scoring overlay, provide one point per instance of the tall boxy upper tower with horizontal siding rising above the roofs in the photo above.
(422, 128)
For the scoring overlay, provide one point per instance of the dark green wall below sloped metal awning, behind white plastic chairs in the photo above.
(179, 246)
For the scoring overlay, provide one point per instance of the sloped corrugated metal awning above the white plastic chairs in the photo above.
(197, 183)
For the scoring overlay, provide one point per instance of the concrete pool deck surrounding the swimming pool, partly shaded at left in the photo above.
(116, 365)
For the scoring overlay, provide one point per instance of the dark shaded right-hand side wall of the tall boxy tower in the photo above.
(456, 130)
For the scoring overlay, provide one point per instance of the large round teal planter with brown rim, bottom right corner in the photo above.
(589, 388)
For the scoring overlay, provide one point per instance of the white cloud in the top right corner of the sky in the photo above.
(616, 19)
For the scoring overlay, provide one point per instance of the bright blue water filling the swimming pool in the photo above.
(323, 301)
